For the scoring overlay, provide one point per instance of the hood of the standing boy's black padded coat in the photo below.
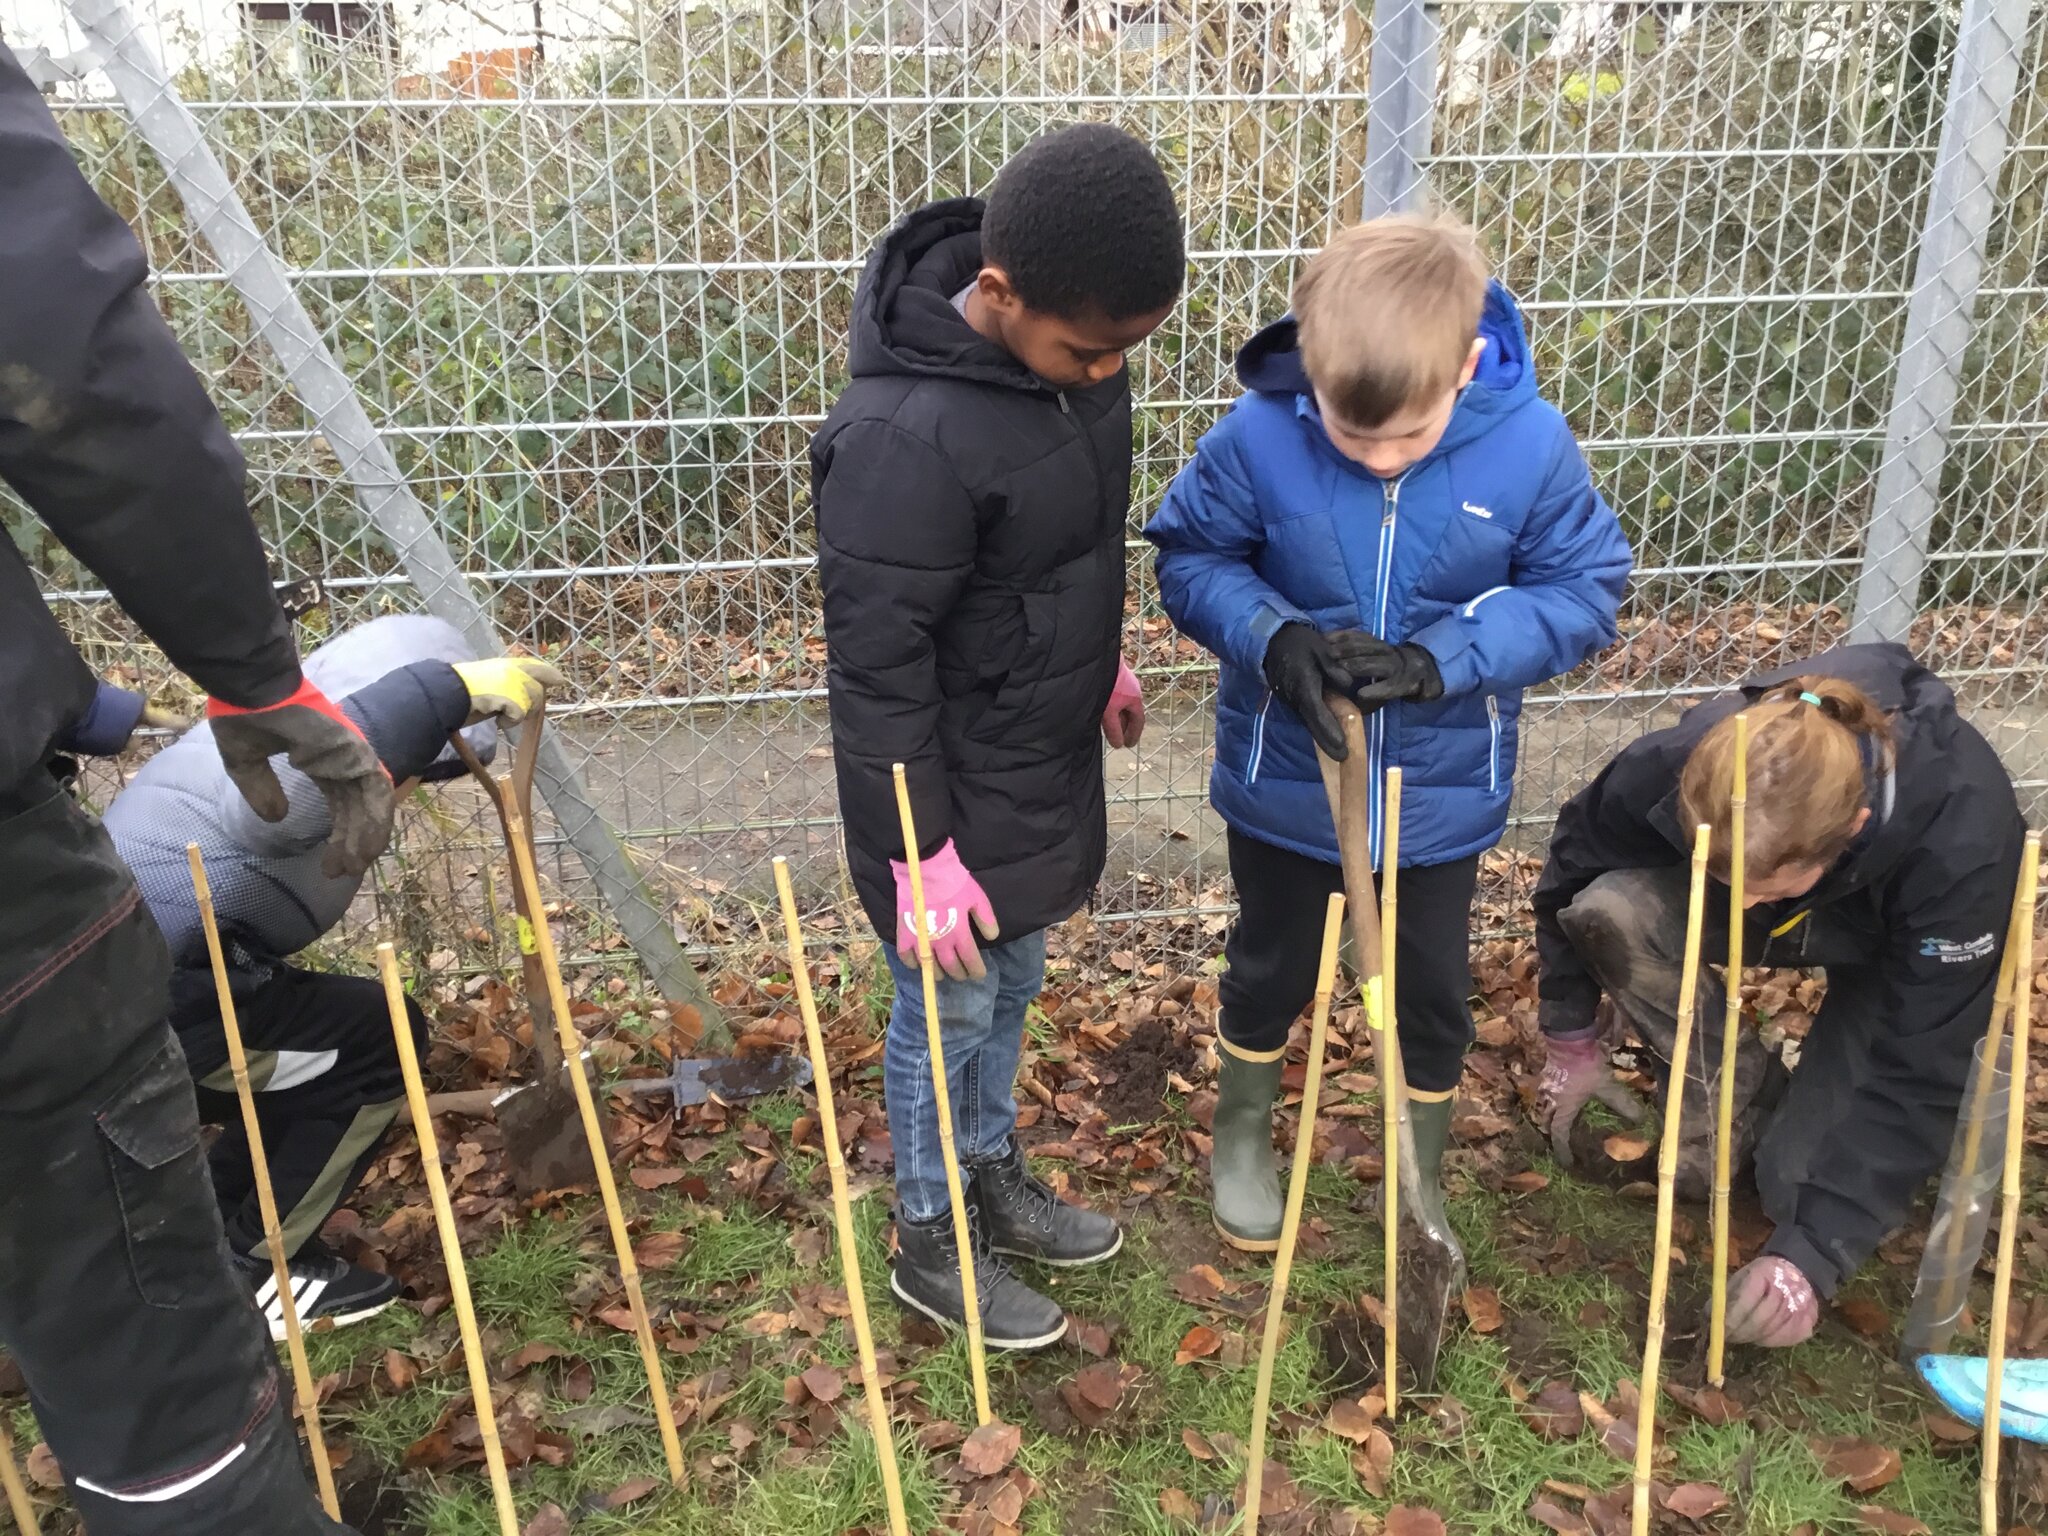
(904, 318)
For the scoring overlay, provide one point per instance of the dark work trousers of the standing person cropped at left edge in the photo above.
(148, 1369)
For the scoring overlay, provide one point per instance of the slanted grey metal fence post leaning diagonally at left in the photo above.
(275, 312)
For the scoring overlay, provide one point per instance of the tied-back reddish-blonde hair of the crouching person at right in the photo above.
(1807, 749)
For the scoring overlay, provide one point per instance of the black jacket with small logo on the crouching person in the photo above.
(1926, 894)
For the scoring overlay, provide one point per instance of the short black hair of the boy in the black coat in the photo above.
(1082, 222)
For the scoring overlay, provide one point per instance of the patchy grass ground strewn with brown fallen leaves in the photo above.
(1138, 1422)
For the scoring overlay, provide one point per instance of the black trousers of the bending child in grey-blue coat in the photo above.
(327, 1080)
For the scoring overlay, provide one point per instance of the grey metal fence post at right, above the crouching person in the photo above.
(1961, 204)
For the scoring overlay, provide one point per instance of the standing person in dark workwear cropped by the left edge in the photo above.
(148, 1369)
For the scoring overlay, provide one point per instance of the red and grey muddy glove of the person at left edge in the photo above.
(323, 744)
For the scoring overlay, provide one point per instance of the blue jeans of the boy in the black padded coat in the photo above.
(982, 1031)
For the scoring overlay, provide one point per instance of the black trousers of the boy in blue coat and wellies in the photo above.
(1279, 939)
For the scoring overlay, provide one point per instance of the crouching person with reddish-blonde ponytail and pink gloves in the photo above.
(1883, 841)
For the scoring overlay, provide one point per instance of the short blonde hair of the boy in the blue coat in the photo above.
(1388, 314)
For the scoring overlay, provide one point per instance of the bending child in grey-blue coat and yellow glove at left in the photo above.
(323, 1058)
